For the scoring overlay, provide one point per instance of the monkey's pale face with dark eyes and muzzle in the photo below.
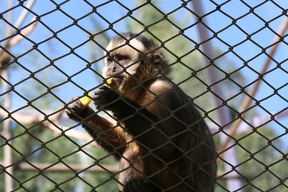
(122, 60)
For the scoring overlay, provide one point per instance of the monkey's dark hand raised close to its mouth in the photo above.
(106, 98)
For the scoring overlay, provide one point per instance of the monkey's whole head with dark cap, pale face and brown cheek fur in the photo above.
(131, 59)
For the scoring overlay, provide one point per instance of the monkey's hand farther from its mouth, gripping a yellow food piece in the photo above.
(75, 110)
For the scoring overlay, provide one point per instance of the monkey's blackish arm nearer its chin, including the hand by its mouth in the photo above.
(139, 122)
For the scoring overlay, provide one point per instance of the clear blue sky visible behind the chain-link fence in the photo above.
(217, 20)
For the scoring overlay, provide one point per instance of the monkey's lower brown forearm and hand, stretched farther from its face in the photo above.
(104, 132)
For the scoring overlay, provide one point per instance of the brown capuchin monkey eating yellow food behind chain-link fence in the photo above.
(159, 138)
